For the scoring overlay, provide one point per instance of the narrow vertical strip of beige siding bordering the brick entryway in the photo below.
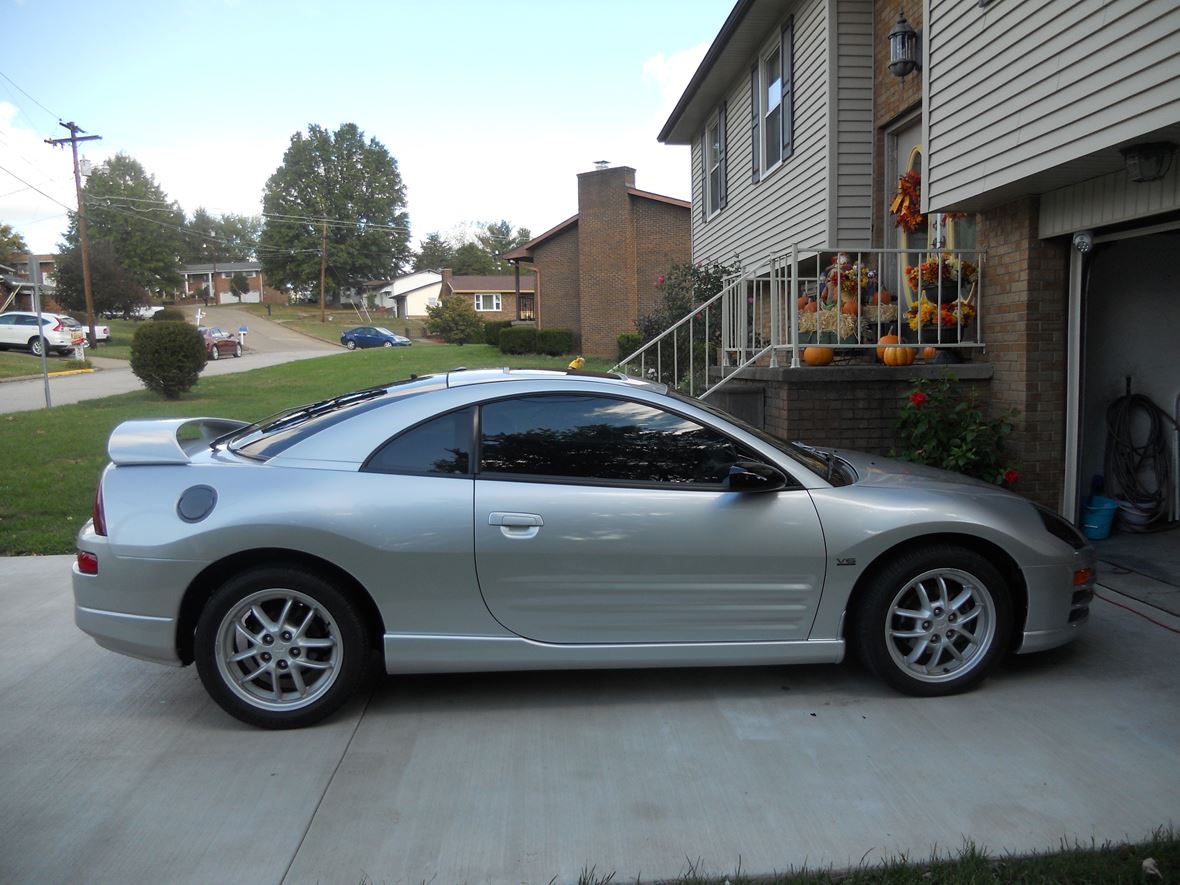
(853, 29)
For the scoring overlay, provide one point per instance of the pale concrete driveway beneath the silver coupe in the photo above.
(116, 771)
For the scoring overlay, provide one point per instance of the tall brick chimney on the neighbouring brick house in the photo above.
(607, 260)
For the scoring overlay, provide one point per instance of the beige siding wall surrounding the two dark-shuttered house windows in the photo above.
(790, 205)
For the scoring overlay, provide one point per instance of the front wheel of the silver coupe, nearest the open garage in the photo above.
(935, 621)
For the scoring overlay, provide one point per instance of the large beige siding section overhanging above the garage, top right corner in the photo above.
(1021, 88)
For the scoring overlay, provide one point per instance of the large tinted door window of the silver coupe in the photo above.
(601, 438)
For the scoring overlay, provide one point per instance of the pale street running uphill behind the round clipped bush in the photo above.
(268, 344)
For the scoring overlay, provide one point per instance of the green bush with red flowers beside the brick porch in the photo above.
(942, 429)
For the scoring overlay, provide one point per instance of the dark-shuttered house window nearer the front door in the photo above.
(772, 106)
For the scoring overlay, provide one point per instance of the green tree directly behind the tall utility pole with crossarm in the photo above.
(127, 209)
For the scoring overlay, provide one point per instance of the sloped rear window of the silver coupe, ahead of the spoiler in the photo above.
(267, 438)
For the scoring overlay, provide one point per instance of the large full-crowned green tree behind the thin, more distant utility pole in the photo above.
(351, 188)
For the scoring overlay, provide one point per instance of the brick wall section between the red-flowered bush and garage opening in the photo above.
(1026, 301)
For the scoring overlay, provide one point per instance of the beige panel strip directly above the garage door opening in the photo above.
(1107, 200)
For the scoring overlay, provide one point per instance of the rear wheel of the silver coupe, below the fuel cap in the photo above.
(280, 648)
